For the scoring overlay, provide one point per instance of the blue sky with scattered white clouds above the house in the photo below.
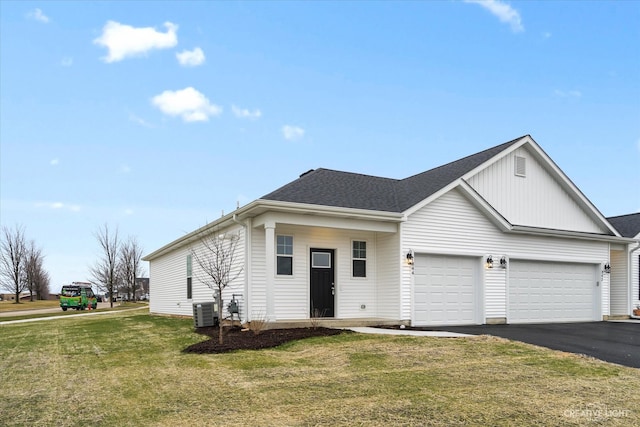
(156, 117)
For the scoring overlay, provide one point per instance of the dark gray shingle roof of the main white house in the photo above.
(328, 187)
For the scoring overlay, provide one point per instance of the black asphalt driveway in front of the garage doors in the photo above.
(616, 342)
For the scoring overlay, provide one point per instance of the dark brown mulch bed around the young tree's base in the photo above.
(238, 339)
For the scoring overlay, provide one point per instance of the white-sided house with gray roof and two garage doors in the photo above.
(501, 236)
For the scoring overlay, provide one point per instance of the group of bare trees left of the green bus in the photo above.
(22, 265)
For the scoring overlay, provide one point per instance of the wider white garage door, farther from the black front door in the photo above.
(552, 292)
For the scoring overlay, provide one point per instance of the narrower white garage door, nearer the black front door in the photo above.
(445, 290)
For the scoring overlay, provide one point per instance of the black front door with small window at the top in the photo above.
(322, 283)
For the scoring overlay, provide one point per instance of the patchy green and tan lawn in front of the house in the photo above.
(127, 369)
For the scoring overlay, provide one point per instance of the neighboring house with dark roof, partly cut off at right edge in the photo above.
(628, 226)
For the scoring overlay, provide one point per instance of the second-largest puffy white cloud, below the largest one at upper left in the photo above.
(187, 103)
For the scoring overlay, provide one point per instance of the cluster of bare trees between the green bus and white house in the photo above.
(119, 264)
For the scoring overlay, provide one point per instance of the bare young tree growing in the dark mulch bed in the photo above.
(215, 255)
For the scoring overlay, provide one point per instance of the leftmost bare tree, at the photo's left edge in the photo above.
(13, 257)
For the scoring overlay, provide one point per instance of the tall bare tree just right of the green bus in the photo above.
(104, 272)
